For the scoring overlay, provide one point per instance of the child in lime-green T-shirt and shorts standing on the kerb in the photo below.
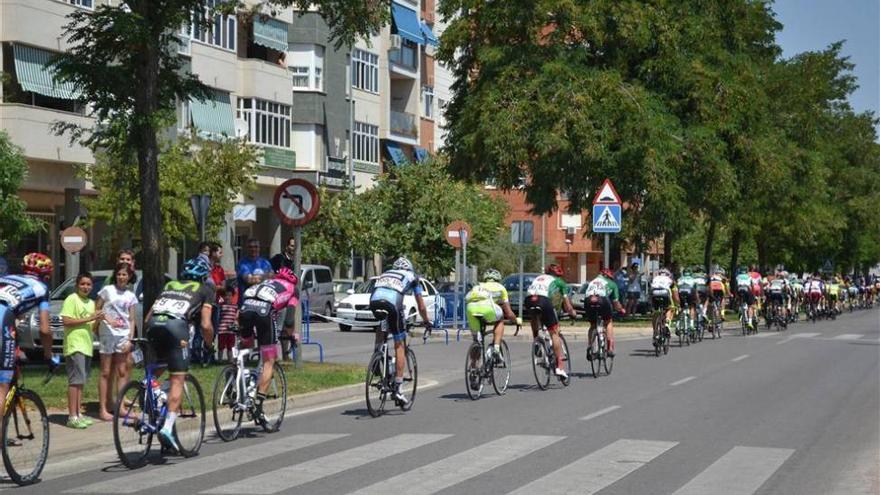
(77, 314)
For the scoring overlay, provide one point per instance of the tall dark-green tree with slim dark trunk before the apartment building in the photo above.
(123, 60)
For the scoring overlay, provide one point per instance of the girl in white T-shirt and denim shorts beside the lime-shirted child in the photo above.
(114, 336)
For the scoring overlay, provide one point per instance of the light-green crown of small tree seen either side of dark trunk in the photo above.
(187, 166)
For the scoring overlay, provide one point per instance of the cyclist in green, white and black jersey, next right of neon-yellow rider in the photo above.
(547, 293)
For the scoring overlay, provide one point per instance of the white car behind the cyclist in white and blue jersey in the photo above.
(354, 310)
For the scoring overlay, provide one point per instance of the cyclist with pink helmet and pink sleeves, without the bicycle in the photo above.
(261, 312)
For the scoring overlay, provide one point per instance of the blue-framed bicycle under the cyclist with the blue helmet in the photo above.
(141, 410)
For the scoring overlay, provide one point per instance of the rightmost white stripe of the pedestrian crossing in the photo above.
(741, 471)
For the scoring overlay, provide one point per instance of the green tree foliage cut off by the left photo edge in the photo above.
(14, 221)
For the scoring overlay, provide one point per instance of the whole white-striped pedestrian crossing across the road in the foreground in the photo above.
(742, 470)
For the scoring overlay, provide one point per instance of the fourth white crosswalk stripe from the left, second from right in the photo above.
(598, 470)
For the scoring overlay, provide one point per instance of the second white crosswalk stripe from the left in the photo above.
(315, 469)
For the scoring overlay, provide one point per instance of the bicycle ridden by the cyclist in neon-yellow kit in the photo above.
(482, 365)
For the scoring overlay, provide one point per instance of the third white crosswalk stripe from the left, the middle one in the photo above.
(454, 469)
